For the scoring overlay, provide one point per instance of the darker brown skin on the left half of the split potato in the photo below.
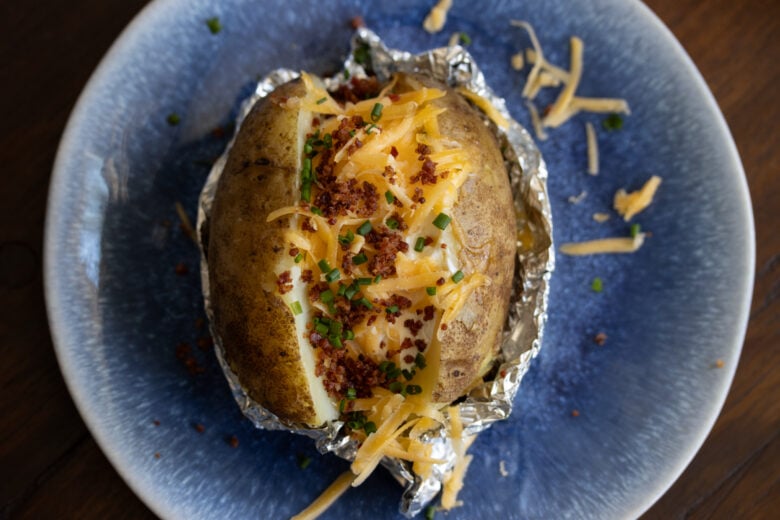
(254, 323)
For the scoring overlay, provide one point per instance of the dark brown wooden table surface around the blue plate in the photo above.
(50, 466)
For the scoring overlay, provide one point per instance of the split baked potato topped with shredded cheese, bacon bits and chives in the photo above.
(361, 246)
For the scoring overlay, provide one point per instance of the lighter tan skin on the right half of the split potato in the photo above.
(486, 215)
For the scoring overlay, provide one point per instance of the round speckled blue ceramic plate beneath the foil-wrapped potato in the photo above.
(646, 398)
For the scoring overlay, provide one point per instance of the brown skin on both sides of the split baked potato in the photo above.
(256, 326)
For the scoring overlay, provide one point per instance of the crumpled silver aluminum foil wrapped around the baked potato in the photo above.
(491, 401)
